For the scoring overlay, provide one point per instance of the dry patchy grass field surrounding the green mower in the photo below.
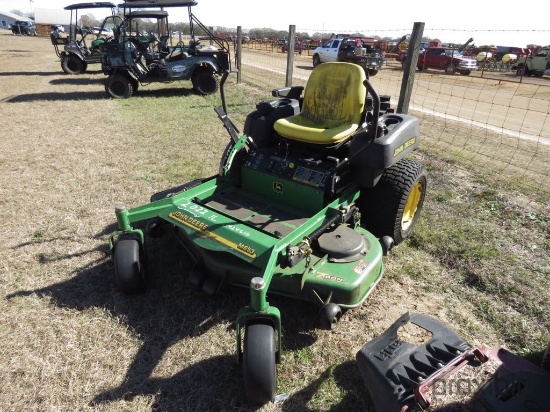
(478, 260)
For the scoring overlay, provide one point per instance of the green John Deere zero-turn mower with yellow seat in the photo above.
(307, 201)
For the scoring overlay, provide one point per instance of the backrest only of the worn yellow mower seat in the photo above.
(335, 95)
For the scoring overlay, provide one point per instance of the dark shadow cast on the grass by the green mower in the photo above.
(171, 310)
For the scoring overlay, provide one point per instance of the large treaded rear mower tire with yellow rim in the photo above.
(392, 207)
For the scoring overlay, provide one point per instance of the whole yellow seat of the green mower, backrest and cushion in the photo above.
(334, 100)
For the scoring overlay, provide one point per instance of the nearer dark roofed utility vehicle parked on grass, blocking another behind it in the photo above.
(145, 59)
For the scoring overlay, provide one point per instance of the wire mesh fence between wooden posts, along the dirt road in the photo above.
(488, 119)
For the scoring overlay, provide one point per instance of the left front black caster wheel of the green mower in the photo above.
(129, 269)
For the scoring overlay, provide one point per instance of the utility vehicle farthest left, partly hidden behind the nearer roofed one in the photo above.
(76, 54)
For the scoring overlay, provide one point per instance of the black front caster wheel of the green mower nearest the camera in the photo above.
(259, 370)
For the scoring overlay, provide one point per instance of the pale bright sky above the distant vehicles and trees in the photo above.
(486, 22)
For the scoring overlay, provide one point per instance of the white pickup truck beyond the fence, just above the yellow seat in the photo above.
(350, 49)
